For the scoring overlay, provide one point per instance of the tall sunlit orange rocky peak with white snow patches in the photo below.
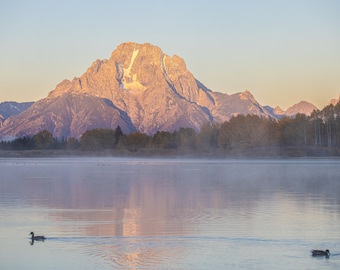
(156, 91)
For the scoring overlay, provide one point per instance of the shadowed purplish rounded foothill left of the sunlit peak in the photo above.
(67, 115)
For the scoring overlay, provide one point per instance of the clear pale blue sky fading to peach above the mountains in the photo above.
(281, 51)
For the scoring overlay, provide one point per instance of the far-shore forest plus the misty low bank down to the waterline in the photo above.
(251, 135)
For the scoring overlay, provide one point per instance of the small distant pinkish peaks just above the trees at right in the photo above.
(302, 107)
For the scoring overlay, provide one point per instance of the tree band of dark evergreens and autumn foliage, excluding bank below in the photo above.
(319, 130)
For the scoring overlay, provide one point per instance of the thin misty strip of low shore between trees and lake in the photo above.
(251, 153)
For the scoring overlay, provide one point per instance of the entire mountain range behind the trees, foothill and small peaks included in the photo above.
(138, 88)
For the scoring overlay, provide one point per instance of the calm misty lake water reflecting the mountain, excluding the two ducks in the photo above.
(110, 213)
